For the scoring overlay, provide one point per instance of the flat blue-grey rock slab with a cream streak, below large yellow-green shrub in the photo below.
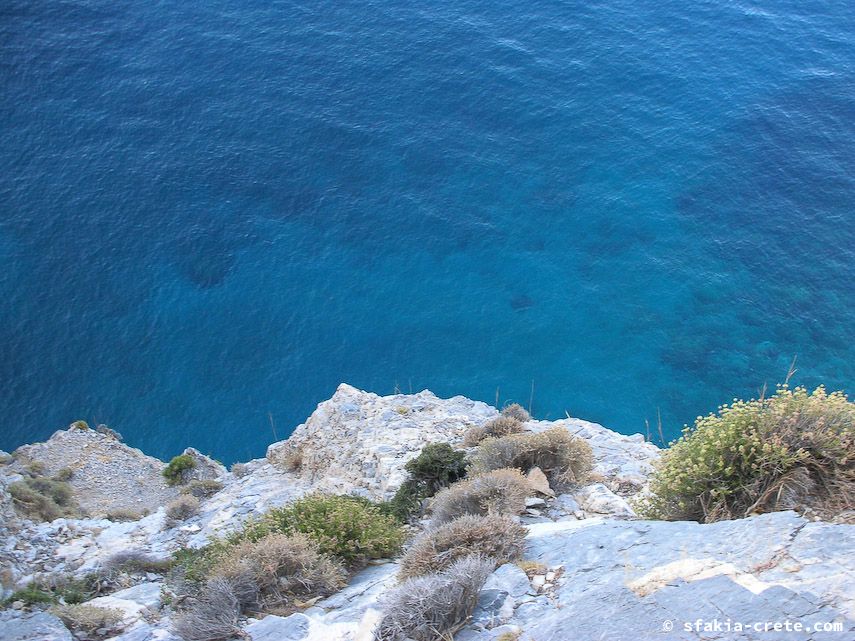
(656, 580)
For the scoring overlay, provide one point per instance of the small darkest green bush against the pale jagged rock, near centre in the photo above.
(436, 466)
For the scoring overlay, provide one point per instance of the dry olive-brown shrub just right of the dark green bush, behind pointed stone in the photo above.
(564, 458)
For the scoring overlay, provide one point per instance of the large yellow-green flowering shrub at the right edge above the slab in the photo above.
(793, 450)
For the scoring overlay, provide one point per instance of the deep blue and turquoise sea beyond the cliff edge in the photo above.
(212, 213)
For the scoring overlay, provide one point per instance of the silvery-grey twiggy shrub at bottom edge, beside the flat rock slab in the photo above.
(434, 607)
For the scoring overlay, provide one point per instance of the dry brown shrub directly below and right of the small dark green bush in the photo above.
(498, 492)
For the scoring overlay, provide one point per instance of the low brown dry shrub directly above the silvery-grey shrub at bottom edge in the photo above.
(499, 537)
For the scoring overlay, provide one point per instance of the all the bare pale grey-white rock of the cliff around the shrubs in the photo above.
(605, 573)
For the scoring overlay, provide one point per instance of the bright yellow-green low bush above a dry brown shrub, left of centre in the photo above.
(348, 527)
